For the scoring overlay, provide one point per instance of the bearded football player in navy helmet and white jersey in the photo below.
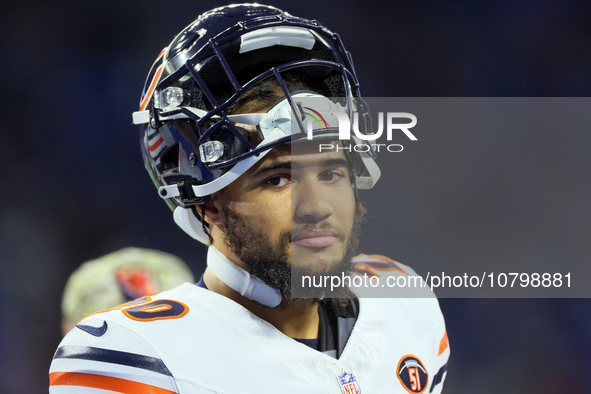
(234, 115)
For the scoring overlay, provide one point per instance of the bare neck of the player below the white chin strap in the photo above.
(294, 318)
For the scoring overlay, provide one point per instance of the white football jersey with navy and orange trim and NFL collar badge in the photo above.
(192, 340)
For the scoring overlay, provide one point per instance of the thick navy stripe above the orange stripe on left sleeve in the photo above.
(114, 357)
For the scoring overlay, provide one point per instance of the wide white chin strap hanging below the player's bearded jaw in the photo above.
(240, 280)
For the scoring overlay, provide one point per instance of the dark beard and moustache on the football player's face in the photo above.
(271, 263)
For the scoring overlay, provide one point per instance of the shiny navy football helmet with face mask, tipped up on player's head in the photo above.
(193, 145)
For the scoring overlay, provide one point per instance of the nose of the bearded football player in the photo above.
(310, 202)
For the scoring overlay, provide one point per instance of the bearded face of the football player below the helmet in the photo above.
(293, 208)
